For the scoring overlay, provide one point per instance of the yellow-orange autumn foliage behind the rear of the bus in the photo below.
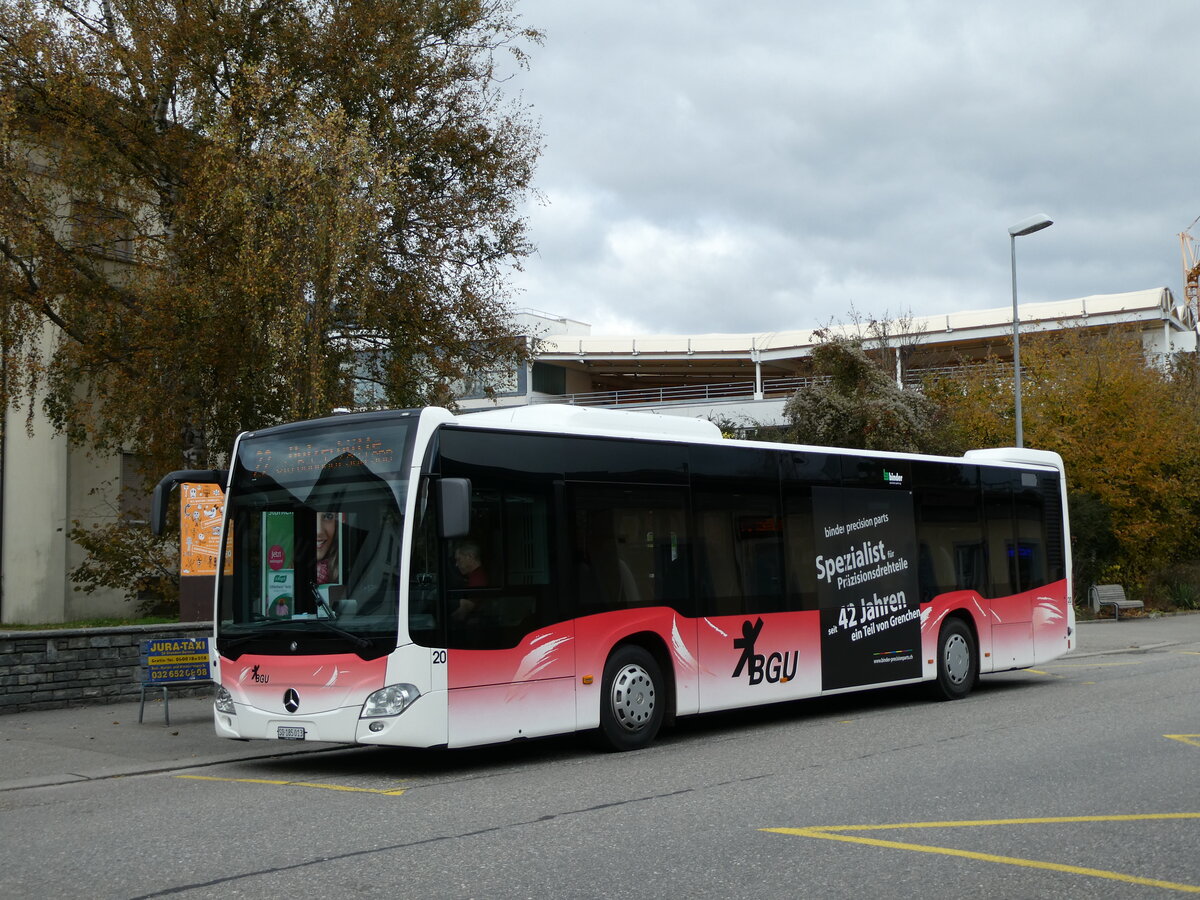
(1129, 430)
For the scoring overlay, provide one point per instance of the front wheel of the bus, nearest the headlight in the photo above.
(632, 700)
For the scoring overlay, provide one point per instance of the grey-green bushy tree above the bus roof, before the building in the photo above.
(856, 405)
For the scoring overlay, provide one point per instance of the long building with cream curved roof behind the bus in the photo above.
(751, 376)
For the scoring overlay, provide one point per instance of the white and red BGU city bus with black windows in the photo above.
(419, 579)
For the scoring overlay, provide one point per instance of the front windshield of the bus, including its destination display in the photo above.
(315, 525)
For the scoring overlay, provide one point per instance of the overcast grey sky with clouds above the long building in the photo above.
(767, 165)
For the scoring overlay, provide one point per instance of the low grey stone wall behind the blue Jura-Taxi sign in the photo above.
(71, 668)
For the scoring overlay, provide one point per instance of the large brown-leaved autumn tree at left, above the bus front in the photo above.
(219, 217)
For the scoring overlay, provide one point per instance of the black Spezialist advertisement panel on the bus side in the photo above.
(867, 586)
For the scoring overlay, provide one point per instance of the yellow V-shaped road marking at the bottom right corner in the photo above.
(833, 833)
